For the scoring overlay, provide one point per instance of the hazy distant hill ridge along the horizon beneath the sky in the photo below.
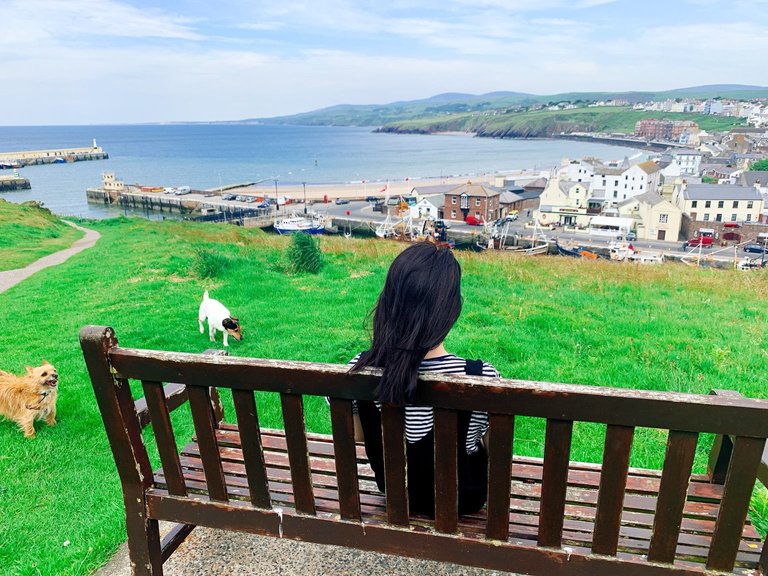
(443, 106)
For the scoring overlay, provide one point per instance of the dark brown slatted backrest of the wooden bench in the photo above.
(683, 416)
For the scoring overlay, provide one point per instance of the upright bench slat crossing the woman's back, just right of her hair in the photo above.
(446, 476)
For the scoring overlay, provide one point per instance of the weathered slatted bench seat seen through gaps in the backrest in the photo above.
(699, 513)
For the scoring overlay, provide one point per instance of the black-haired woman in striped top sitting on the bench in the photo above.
(418, 306)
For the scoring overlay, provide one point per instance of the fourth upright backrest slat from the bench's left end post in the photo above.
(298, 454)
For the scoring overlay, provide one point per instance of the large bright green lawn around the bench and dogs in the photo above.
(551, 319)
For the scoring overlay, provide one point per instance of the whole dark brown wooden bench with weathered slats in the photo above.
(549, 516)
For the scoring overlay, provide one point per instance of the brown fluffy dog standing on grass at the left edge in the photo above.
(29, 397)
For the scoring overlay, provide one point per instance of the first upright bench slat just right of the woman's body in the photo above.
(500, 441)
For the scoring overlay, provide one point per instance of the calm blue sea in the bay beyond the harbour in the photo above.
(209, 155)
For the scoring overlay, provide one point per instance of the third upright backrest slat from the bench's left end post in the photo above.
(253, 458)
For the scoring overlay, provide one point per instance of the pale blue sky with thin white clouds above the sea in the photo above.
(134, 61)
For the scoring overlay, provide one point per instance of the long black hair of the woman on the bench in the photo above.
(418, 306)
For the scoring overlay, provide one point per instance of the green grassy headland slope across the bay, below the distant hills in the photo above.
(551, 122)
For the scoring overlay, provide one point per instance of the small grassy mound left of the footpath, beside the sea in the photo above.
(28, 233)
